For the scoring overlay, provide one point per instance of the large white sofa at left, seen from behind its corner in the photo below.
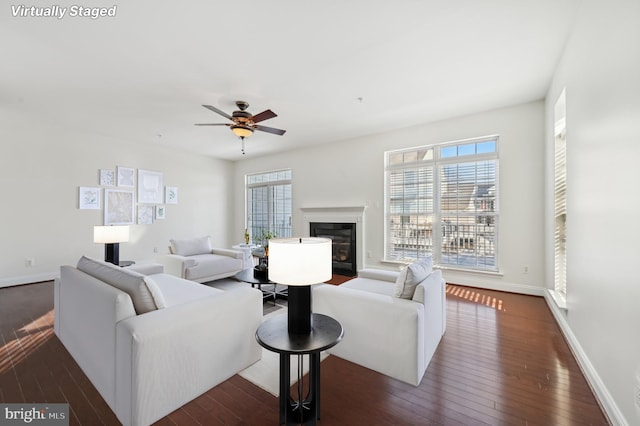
(150, 344)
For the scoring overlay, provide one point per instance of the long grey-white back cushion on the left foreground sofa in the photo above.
(123, 279)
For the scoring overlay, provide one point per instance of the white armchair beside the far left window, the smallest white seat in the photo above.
(197, 260)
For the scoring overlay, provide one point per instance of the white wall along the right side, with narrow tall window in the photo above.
(600, 69)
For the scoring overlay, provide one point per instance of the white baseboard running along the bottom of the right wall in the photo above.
(603, 396)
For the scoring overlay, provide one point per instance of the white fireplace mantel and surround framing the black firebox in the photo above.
(353, 214)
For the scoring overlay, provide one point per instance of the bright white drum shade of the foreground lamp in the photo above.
(299, 261)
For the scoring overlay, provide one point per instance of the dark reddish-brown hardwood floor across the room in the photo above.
(502, 361)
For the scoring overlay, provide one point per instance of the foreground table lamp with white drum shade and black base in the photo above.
(298, 263)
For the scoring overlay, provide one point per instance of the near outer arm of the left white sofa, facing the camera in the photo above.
(166, 358)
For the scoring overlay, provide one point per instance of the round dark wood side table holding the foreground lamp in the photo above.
(274, 336)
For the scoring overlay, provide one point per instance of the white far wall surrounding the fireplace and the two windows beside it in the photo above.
(350, 173)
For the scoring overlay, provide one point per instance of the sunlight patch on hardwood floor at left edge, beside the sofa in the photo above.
(26, 341)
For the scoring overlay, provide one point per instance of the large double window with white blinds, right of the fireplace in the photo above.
(443, 200)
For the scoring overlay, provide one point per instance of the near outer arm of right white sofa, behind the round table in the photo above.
(383, 333)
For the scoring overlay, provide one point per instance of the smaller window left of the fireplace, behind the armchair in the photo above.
(269, 203)
